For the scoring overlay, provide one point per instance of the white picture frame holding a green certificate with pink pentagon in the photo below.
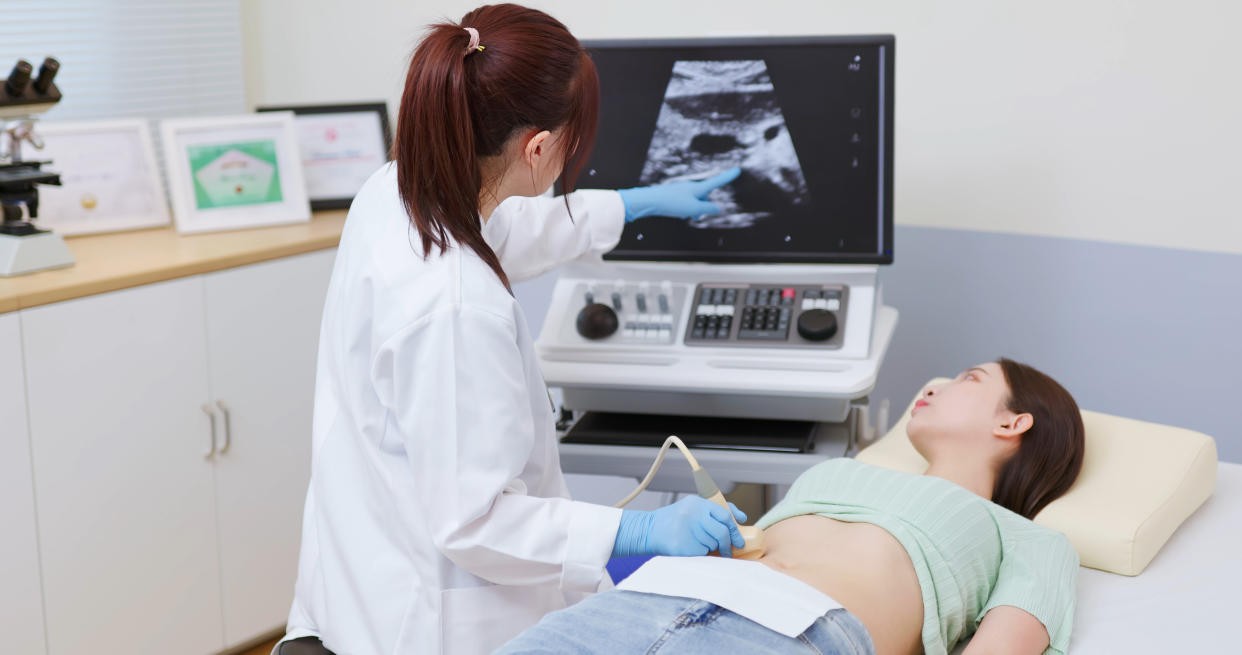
(234, 172)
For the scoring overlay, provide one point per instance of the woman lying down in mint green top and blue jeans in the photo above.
(863, 560)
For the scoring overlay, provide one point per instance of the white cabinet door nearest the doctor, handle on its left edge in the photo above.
(263, 335)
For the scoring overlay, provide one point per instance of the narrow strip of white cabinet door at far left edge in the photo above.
(22, 598)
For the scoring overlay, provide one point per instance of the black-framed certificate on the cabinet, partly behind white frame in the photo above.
(342, 146)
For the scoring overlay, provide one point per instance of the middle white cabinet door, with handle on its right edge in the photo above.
(116, 385)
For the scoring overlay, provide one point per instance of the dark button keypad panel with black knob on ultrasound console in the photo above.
(768, 316)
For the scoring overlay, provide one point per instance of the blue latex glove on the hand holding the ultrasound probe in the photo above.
(692, 526)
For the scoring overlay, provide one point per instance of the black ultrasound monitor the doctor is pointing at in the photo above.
(808, 120)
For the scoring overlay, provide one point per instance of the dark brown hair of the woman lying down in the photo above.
(1051, 453)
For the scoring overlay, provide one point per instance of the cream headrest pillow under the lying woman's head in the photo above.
(1140, 483)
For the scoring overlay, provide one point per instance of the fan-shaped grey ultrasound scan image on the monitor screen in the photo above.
(718, 115)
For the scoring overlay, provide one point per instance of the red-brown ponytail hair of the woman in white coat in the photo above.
(459, 109)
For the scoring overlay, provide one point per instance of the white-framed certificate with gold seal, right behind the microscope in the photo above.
(110, 177)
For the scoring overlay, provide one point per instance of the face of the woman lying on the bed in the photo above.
(961, 413)
